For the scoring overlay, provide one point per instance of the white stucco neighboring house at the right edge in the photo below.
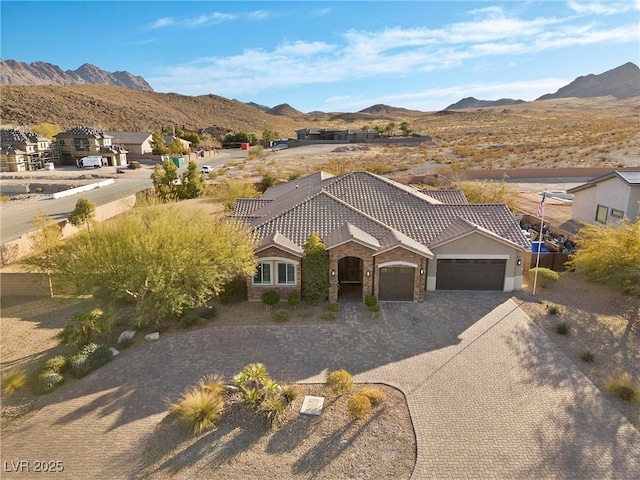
(608, 198)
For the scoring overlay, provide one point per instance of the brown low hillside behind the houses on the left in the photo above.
(115, 108)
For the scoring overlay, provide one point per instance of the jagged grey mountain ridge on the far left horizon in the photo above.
(42, 73)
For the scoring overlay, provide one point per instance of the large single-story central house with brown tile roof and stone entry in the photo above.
(382, 238)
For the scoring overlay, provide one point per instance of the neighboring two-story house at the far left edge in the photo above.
(21, 151)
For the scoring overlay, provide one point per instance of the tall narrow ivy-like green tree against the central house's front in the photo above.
(315, 265)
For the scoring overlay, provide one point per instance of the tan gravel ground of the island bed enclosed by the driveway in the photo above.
(328, 446)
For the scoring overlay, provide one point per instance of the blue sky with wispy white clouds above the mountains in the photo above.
(332, 56)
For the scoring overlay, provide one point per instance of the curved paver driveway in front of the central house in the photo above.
(489, 395)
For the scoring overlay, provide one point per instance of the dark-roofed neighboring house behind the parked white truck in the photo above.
(78, 142)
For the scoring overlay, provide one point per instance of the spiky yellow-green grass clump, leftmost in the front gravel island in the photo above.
(198, 409)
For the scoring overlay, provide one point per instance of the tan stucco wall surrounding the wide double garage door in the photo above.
(477, 245)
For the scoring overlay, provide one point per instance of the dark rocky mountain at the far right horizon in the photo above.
(621, 82)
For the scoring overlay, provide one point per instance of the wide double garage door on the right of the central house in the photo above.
(478, 274)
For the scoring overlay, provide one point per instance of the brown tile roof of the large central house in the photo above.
(382, 209)
